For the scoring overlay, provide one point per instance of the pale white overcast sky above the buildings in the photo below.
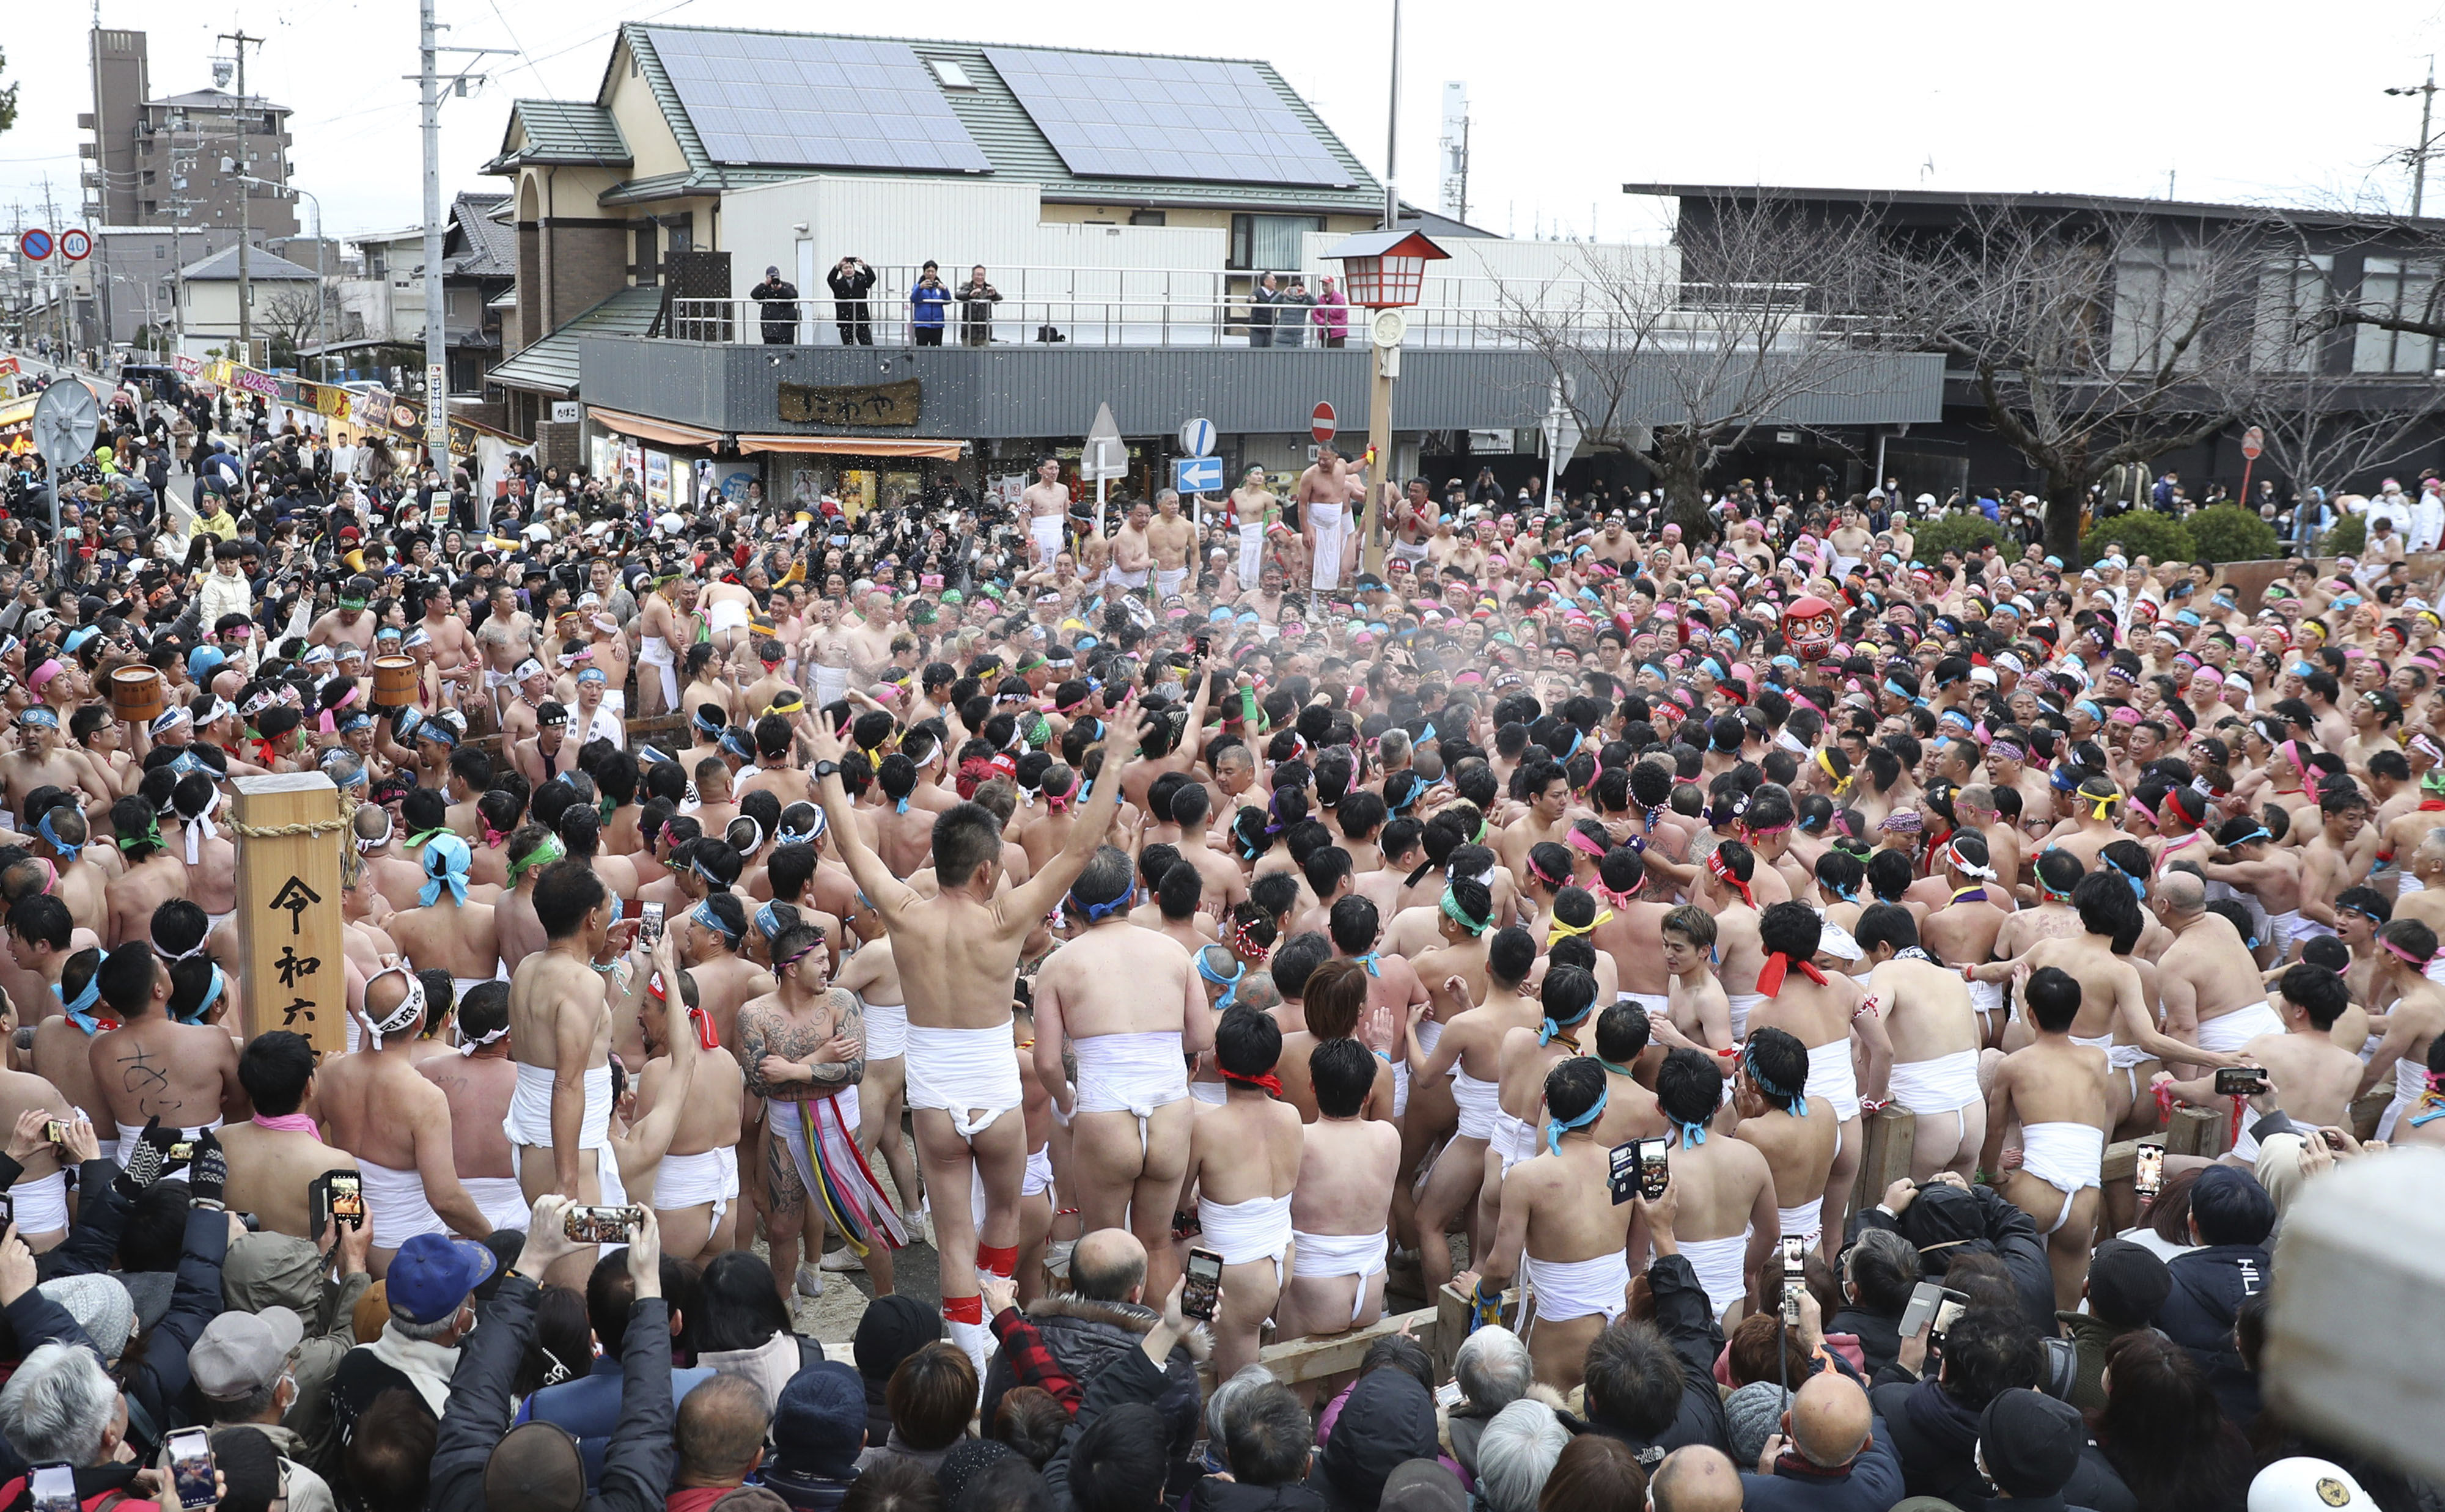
(2251, 102)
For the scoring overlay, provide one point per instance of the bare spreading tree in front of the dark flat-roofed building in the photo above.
(2094, 339)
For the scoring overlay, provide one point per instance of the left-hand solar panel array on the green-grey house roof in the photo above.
(815, 102)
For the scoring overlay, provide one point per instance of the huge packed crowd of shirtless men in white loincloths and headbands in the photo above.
(1312, 931)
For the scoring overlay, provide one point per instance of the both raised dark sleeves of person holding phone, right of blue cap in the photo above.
(642, 1459)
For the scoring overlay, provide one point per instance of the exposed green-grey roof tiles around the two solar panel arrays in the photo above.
(1001, 128)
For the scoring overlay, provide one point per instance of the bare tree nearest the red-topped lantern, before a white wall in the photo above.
(1678, 354)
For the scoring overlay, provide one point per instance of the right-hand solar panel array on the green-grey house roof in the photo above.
(1165, 119)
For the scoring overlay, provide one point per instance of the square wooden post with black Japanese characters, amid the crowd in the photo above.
(290, 833)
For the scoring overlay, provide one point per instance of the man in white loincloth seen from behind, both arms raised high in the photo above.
(960, 955)
